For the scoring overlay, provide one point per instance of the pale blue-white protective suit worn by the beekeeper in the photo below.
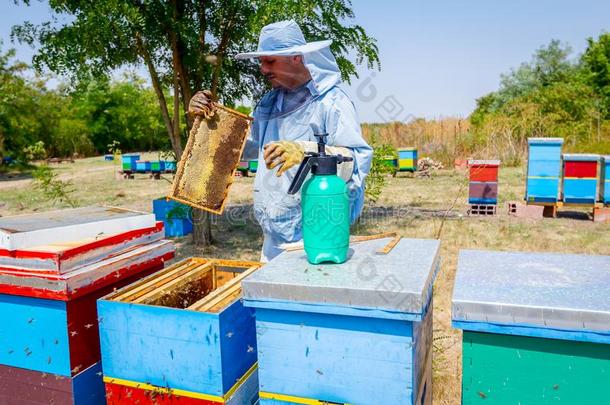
(328, 110)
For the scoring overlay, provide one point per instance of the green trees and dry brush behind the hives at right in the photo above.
(552, 95)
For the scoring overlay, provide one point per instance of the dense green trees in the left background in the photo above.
(75, 121)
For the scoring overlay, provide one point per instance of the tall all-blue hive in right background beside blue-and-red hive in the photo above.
(543, 169)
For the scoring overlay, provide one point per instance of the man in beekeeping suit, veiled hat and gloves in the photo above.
(305, 100)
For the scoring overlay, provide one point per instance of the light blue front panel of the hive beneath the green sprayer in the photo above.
(335, 358)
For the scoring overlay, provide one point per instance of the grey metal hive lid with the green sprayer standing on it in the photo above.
(399, 282)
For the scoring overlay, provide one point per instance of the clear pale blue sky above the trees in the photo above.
(437, 56)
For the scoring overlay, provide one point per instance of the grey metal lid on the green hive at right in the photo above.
(540, 290)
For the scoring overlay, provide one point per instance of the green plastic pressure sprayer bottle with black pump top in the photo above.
(325, 206)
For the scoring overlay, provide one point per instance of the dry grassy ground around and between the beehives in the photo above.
(414, 207)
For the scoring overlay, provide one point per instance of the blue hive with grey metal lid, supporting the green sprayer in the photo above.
(358, 332)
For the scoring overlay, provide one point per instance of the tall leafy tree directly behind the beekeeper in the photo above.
(186, 46)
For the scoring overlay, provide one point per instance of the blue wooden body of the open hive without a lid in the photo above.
(176, 348)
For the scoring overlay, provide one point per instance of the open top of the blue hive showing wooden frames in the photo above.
(195, 284)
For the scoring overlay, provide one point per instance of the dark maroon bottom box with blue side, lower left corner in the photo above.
(26, 387)
